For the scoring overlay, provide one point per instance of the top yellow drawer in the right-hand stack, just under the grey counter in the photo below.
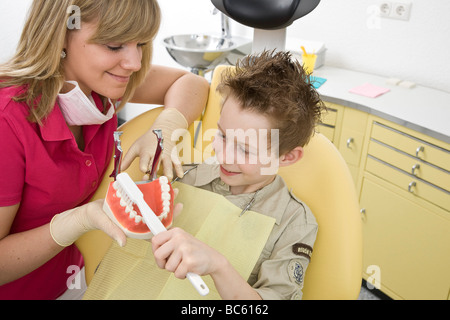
(411, 145)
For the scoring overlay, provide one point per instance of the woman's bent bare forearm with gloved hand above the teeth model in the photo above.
(184, 96)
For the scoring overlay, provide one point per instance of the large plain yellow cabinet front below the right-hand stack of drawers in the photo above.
(407, 242)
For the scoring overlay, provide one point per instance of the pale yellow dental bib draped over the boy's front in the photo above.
(131, 273)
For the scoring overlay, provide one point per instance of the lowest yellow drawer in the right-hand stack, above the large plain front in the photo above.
(410, 183)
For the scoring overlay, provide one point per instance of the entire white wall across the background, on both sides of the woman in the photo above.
(415, 50)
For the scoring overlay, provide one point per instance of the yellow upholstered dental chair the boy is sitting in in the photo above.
(321, 179)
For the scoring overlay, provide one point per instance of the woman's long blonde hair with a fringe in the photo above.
(37, 63)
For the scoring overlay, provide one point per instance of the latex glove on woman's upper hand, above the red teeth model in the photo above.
(168, 121)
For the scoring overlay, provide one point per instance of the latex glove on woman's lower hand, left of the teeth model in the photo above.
(67, 227)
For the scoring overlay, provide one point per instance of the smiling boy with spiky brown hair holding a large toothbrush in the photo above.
(268, 97)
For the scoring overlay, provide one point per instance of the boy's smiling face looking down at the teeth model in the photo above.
(246, 148)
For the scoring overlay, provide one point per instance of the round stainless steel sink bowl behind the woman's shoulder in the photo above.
(201, 52)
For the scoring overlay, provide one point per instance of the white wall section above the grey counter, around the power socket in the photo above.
(416, 50)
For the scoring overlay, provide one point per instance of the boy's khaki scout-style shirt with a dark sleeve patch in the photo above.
(280, 270)
